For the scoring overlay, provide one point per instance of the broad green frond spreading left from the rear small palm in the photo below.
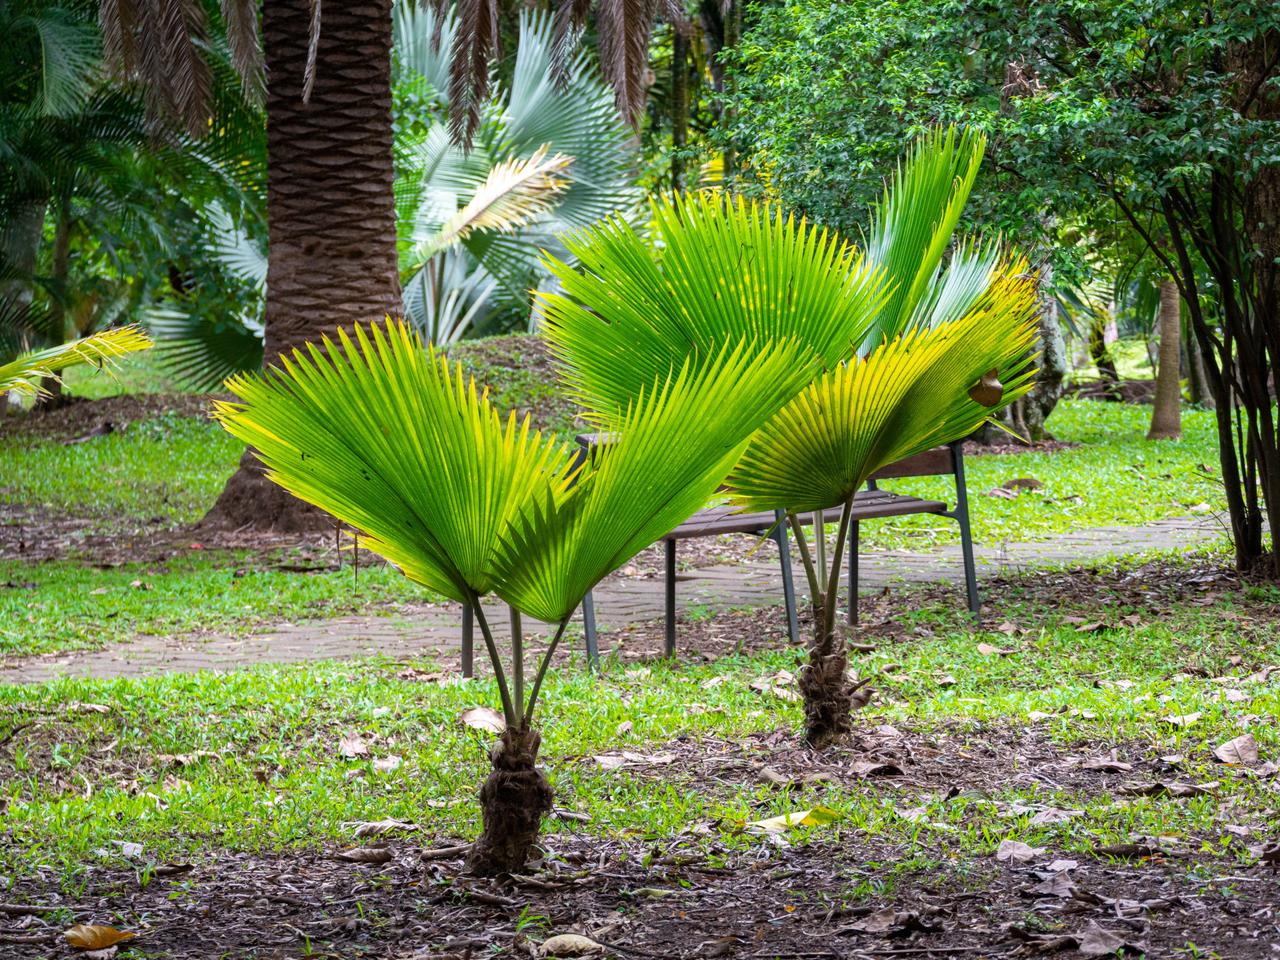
(714, 272)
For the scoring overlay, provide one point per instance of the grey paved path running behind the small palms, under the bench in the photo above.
(620, 602)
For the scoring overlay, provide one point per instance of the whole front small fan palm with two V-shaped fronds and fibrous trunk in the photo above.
(391, 440)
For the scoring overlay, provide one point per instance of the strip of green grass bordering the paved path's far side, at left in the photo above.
(67, 606)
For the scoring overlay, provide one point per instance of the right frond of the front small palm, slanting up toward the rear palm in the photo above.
(674, 449)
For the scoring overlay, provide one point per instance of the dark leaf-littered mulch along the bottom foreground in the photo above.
(668, 898)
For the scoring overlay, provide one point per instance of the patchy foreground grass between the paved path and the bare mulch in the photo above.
(80, 783)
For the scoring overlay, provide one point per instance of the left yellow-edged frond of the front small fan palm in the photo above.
(385, 436)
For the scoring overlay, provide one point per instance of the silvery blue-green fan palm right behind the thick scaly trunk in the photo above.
(547, 157)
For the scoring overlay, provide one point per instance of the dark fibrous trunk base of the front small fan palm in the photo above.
(513, 803)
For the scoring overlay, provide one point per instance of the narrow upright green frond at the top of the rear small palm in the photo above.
(913, 225)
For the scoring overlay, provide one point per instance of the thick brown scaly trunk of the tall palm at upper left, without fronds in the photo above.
(331, 211)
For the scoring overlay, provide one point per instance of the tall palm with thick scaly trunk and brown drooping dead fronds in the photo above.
(331, 208)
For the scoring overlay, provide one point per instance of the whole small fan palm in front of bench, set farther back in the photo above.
(916, 349)
